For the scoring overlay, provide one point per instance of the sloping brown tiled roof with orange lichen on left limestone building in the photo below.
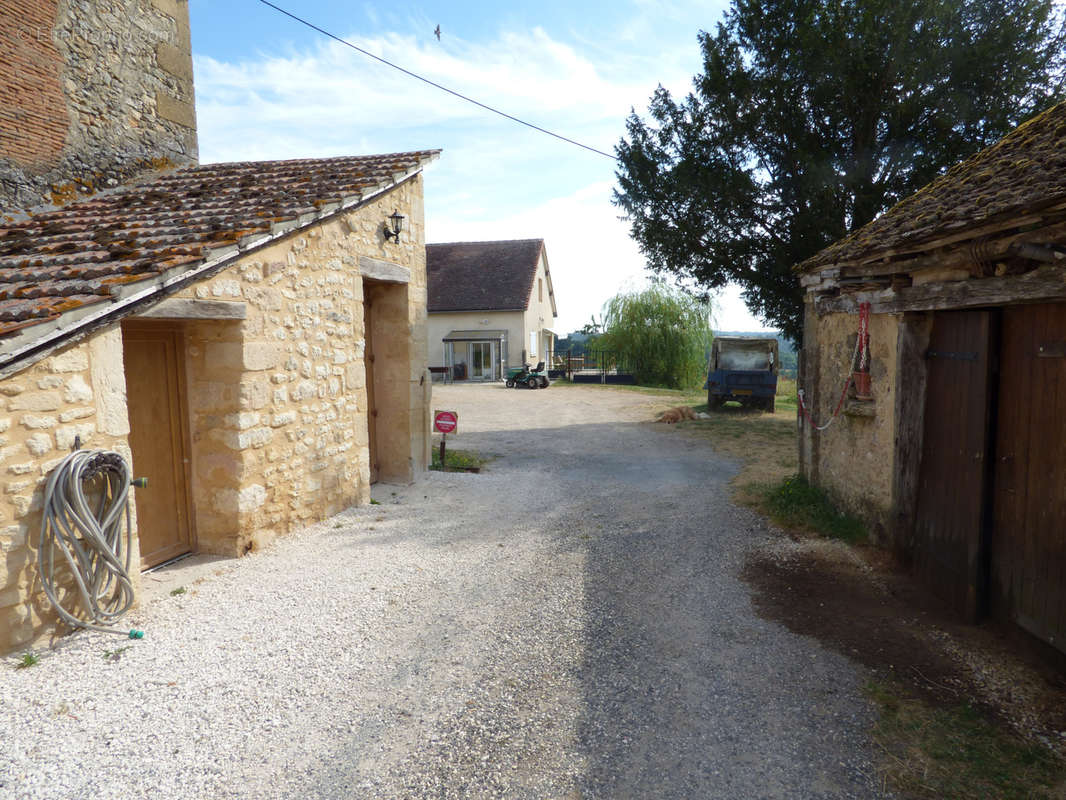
(108, 248)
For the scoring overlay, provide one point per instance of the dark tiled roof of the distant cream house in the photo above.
(482, 277)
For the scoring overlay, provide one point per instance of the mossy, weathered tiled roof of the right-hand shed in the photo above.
(1024, 171)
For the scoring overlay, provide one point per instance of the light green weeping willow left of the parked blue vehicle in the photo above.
(664, 333)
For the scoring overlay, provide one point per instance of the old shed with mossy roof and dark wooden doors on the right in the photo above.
(957, 452)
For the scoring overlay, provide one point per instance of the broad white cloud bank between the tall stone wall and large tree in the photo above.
(496, 180)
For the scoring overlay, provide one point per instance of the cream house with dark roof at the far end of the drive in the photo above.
(491, 307)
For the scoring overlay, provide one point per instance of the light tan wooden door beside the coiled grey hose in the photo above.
(157, 411)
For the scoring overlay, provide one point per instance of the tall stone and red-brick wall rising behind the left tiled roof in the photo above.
(92, 94)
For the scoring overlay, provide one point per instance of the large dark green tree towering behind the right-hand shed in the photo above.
(812, 118)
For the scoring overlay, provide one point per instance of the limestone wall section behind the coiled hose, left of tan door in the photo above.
(78, 392)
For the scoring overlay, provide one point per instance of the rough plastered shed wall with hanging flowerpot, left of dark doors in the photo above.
(853, 459)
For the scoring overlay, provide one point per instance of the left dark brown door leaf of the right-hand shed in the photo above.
(950, 532)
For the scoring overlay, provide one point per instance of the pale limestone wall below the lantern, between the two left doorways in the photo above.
(279, 401)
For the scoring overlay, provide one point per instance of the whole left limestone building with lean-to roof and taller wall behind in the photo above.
(251, 338)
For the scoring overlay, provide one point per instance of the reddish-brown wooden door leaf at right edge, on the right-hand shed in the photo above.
(1029, 545)
